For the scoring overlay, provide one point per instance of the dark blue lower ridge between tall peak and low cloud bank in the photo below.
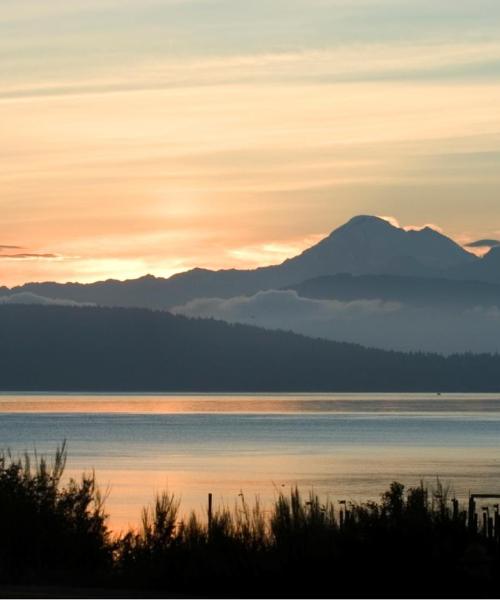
(411, 291)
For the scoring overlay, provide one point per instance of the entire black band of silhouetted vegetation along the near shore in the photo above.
(411, 543)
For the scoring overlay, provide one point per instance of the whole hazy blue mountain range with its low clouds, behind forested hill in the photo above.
(368, 283)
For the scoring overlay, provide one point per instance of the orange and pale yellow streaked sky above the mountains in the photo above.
(152, 136)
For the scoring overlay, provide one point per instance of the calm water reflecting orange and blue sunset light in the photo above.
(346, 446)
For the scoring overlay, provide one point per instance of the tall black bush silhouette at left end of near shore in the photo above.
(49, 530)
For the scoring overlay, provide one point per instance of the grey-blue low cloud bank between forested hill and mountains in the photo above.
(374, 323)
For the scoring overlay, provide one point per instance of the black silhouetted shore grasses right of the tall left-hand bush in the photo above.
(304, 545)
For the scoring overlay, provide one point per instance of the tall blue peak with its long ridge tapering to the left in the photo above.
(364, 245)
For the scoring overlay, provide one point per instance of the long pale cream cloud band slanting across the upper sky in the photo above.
(349, 63)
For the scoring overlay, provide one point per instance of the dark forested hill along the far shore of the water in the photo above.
(51, 348)
